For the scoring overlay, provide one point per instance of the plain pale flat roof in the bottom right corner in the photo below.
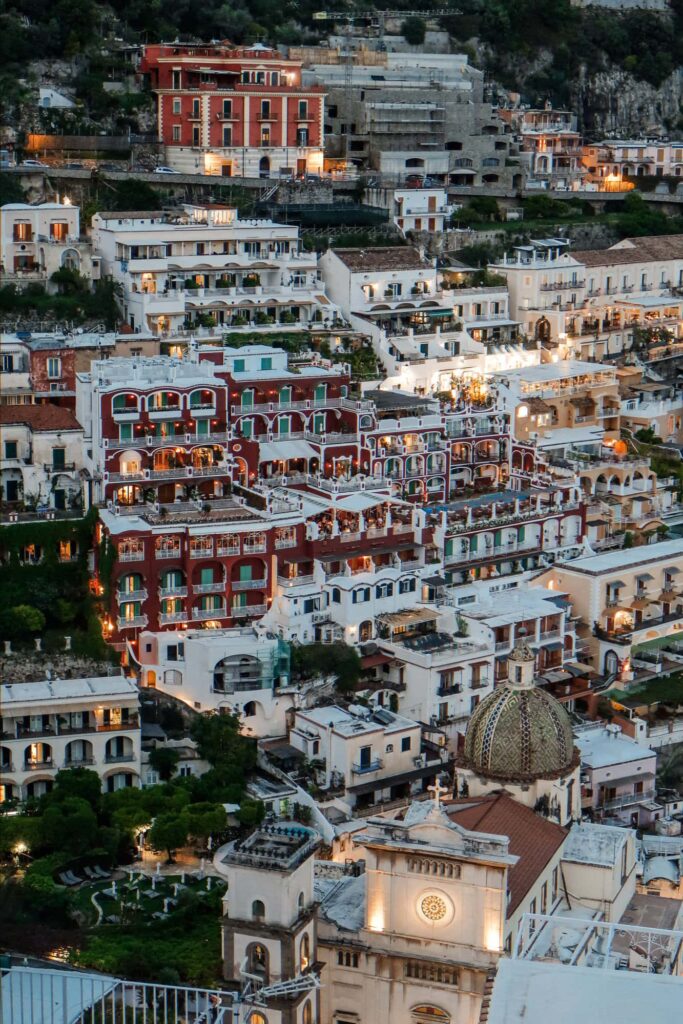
(533, 993)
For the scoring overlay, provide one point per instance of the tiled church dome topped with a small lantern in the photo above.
(520, 732)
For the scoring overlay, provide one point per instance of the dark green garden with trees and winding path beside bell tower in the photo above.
(76, 884)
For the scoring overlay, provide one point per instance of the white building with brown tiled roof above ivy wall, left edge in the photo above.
(42, 458)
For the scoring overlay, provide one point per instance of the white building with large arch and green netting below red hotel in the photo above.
(241, 671)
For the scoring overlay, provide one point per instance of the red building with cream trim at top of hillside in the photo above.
(235, 111)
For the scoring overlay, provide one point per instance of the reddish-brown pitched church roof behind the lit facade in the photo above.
(533, 839)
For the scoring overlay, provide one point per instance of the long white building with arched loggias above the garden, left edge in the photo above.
(64, 723)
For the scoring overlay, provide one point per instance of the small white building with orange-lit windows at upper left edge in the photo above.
(37, 241)
